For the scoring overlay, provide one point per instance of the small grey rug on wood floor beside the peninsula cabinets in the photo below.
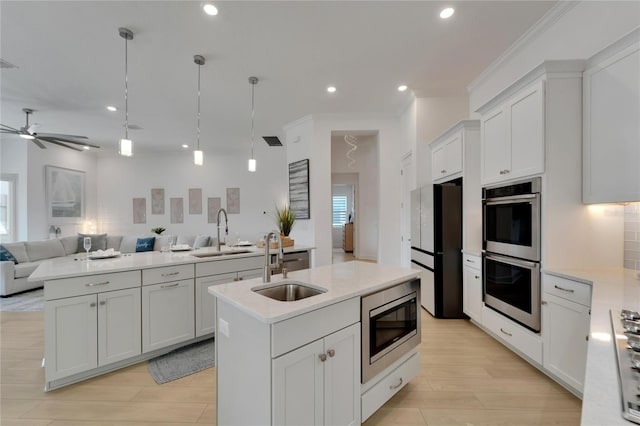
(183, 361)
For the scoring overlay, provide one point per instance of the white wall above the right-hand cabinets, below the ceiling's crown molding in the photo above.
(582, 31)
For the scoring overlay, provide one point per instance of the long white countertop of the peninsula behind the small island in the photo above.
(65, 267)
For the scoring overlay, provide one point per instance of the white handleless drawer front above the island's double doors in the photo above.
(298, 331)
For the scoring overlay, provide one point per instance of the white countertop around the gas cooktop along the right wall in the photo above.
(611, 289)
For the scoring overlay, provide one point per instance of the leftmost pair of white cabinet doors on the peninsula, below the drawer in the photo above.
(86, 332)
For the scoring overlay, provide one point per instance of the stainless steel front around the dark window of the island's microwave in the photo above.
(388, 298)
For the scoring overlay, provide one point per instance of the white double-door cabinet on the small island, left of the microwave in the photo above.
(319, 383)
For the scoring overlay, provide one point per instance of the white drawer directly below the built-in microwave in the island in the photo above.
(382, 391)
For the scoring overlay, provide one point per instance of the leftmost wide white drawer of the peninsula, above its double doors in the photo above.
(90, 284)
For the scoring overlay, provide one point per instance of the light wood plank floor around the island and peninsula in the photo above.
(466, 378)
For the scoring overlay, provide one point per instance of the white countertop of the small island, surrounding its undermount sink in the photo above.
(342, 281)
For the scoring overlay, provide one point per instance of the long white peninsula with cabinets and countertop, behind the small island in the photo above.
(105, 314)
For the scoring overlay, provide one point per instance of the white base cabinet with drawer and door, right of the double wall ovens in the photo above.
(565, 328)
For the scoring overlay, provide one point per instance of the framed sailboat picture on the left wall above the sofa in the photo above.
(65, 194)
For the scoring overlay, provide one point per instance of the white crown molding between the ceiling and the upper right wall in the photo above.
(550, 18)
